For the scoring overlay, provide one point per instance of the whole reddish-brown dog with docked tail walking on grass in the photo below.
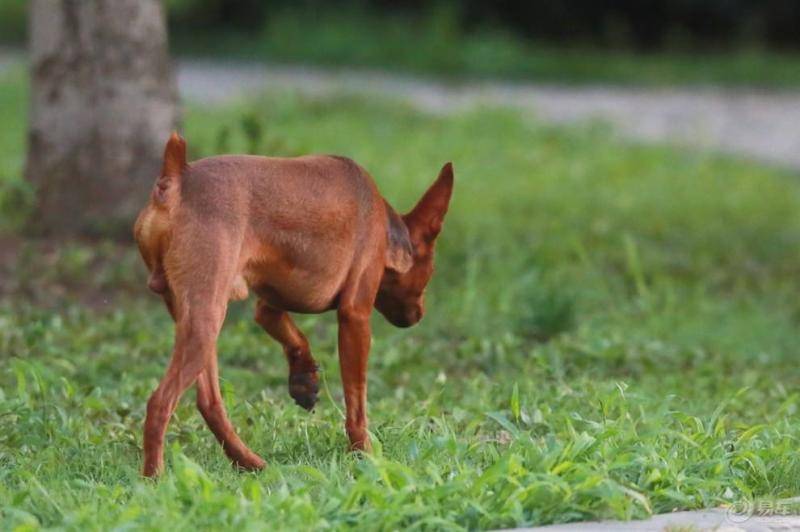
(306, 234)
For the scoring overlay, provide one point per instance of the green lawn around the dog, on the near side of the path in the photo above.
(612, 331)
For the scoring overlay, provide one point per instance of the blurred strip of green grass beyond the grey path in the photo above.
(436, 45)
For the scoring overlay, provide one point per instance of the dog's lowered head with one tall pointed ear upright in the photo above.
(409, 257)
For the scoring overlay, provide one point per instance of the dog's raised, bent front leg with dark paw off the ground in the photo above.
(303, 378)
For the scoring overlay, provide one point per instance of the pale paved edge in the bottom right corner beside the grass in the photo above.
(716, 520)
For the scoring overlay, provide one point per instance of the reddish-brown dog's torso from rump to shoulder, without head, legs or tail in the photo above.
(296, 224)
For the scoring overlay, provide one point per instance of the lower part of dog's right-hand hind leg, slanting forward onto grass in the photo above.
(211, 406)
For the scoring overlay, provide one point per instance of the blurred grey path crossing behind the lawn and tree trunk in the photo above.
(760, 124)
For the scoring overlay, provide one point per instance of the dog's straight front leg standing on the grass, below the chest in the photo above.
(354, 344)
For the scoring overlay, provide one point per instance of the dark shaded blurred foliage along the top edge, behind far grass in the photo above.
(657, 24)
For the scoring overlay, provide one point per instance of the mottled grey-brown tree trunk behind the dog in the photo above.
(103, 102)
